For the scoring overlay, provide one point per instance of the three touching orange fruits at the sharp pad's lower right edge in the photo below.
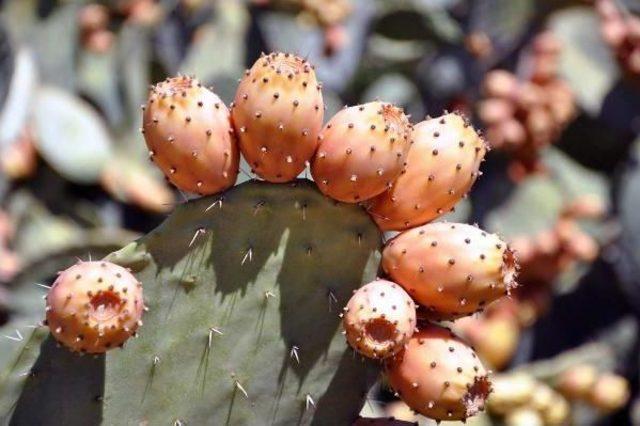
(450, 270)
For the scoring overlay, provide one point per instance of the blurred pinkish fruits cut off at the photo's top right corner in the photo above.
(621, 31)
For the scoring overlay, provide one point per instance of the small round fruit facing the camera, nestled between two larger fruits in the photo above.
(379, 319)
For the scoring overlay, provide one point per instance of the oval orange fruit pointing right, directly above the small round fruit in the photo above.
(452, 269)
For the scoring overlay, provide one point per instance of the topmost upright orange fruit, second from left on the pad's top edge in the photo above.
(277, 114)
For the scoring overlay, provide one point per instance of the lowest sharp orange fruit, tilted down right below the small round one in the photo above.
(439, 376)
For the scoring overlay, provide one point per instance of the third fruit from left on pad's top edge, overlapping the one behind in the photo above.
(362, 151)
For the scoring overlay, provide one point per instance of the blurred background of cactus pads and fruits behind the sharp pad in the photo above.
(554, 84)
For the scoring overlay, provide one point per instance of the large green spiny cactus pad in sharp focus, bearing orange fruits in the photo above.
(243, 292)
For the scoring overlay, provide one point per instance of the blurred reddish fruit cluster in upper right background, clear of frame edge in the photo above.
(525, 113)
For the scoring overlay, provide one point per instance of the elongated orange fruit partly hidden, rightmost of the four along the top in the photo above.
(442, 165)
